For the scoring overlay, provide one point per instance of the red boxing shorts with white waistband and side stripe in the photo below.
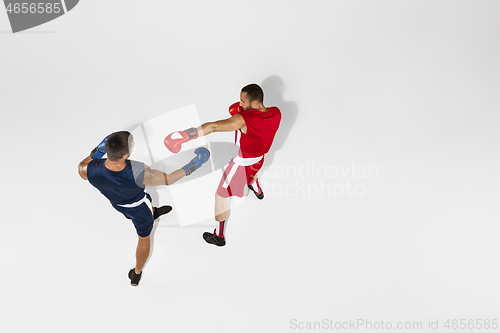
(236, 177)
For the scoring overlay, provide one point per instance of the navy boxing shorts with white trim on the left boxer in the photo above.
(141, 214)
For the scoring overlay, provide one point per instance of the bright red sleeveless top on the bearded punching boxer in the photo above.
(261, 129)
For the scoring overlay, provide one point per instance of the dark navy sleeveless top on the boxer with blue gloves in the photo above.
(120, 187)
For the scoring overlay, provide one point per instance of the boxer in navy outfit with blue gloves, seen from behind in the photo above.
(124, 182)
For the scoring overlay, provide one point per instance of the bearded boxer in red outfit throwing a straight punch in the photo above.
(255, 127)
